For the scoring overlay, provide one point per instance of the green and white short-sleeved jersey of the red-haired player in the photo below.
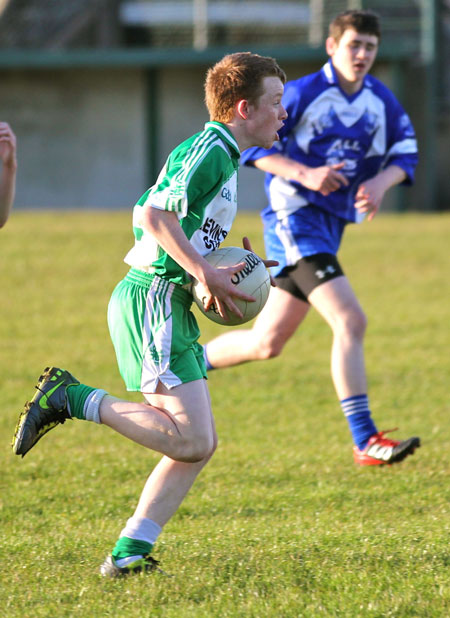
(199, 183)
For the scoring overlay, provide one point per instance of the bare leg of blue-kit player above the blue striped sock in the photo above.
(338, 305)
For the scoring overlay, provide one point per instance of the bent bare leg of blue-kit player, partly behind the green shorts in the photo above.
(273, 327)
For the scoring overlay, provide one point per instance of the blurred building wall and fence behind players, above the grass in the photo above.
(99, 91)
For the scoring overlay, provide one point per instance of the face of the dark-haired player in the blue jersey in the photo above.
(352, 57)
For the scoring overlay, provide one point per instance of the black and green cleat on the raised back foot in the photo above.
(47, 409)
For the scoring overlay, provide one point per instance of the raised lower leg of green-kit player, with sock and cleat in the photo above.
(59, 396)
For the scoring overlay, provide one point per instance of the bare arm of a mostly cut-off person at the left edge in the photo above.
(9, 168)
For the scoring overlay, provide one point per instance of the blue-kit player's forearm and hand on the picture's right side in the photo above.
(371, 192)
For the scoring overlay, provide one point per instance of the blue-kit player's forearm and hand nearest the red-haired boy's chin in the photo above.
(324, 179)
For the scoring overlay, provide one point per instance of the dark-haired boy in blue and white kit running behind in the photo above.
(346, 141)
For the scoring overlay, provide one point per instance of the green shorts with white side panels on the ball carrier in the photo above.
(154, 333)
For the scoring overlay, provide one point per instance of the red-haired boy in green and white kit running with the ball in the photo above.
(184, 216)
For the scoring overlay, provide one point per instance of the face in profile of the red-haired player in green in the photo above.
(267, 116)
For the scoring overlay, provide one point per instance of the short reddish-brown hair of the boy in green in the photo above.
(235, 77)
